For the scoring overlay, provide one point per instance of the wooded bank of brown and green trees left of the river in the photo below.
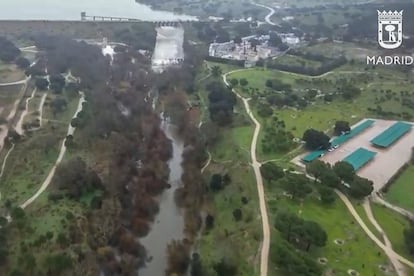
(89, 218)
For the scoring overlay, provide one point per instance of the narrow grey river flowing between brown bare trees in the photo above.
(169, 222)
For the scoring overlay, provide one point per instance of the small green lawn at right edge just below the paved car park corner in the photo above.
(401, 191)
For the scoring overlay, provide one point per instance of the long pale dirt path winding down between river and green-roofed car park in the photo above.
(264, 256)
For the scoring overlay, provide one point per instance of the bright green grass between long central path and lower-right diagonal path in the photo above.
(358, 252)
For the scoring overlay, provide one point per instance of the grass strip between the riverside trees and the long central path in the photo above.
(237, 241)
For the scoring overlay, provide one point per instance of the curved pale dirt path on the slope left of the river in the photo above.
(45, 184)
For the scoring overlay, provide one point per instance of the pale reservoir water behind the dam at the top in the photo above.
(71, 9)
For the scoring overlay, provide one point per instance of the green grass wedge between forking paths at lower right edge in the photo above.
(393, 225)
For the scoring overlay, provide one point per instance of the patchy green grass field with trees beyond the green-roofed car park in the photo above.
(321, 115)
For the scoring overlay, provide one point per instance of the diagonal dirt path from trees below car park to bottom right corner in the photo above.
(394, 257)
